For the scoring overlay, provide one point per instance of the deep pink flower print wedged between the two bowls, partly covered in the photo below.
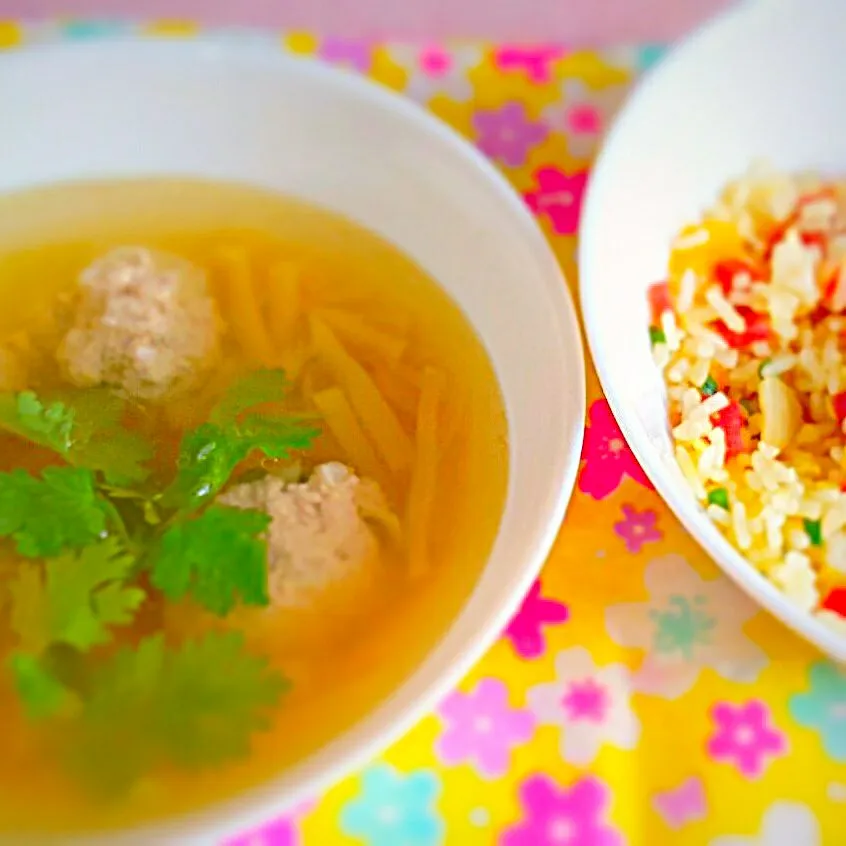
(607, 456)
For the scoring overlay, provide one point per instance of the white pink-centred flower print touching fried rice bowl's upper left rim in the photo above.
(583, 114)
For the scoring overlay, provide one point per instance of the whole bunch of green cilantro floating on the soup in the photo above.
(98, 542)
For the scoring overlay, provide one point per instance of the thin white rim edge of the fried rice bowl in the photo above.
(612, 156)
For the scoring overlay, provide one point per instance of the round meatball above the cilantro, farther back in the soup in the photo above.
(144, 322)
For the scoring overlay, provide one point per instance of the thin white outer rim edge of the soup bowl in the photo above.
(256, 804)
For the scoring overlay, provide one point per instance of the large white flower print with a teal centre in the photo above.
(688, 623)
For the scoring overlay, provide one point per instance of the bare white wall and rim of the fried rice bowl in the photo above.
(760, 82)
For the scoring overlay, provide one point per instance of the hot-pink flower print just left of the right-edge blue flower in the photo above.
(744, 737)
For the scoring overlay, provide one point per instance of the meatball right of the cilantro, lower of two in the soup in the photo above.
(319, 532)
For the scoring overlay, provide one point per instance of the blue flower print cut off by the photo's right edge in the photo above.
(823, 708)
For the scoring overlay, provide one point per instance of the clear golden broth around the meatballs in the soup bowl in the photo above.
(348, 652)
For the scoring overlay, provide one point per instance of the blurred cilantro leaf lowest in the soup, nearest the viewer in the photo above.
(195, 706)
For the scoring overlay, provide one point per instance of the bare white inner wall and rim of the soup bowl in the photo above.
(250, 114)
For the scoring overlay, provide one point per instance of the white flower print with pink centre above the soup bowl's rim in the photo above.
(436, 70)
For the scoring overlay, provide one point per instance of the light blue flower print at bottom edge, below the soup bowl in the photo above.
(394, 809)
